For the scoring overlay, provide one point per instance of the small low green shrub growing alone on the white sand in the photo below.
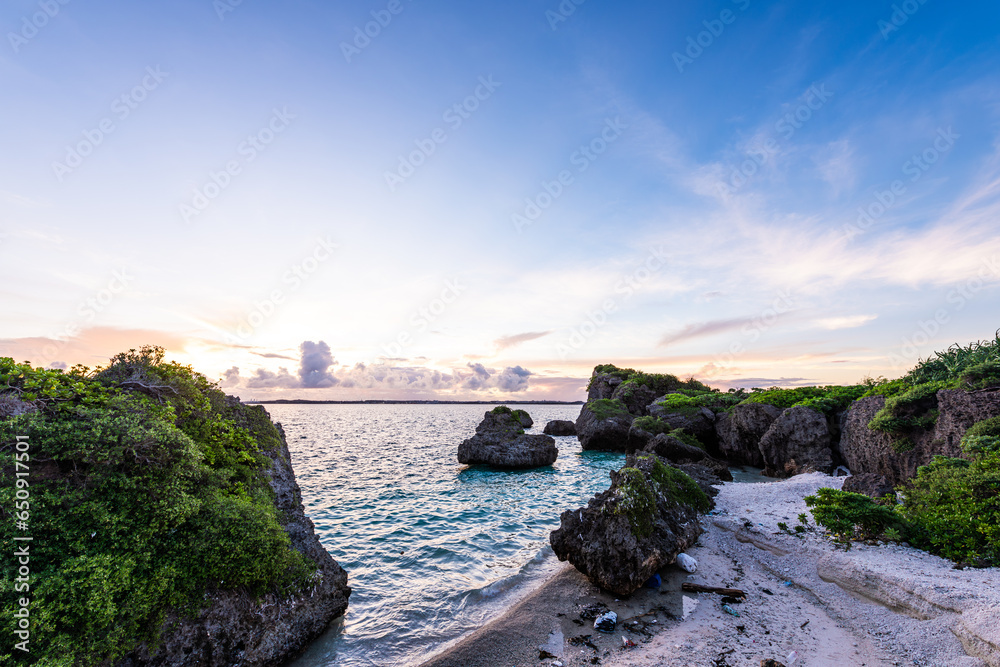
(850, 516)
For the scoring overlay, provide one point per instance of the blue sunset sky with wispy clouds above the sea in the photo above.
(418, 199)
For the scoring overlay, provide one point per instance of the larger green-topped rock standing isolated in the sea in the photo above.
(500, 441)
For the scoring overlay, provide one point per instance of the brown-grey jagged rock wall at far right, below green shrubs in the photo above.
(865, 450)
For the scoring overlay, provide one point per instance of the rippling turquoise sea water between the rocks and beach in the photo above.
(433, 549)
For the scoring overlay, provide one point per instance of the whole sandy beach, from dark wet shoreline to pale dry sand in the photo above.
(807, 602)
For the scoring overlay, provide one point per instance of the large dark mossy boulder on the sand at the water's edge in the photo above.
(625, 534)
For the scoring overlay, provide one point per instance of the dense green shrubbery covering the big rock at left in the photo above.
(148, 490)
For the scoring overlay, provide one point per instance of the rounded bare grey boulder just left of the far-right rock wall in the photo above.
(798, 441)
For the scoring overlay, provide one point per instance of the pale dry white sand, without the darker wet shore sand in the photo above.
(872, 605)
